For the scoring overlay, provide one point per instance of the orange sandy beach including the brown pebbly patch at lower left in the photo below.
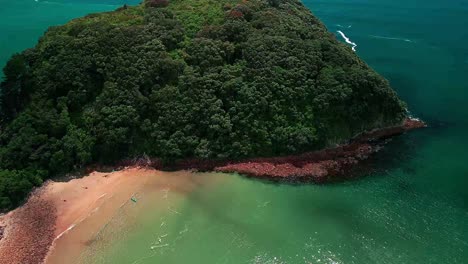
(35, 232)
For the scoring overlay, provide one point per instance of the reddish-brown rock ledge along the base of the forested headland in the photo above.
(318, 166)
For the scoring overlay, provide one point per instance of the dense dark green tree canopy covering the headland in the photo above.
(180, 79)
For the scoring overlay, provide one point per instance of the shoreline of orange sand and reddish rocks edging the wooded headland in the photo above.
(31, 233)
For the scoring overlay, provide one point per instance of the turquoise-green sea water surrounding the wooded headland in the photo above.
(412, 207)
